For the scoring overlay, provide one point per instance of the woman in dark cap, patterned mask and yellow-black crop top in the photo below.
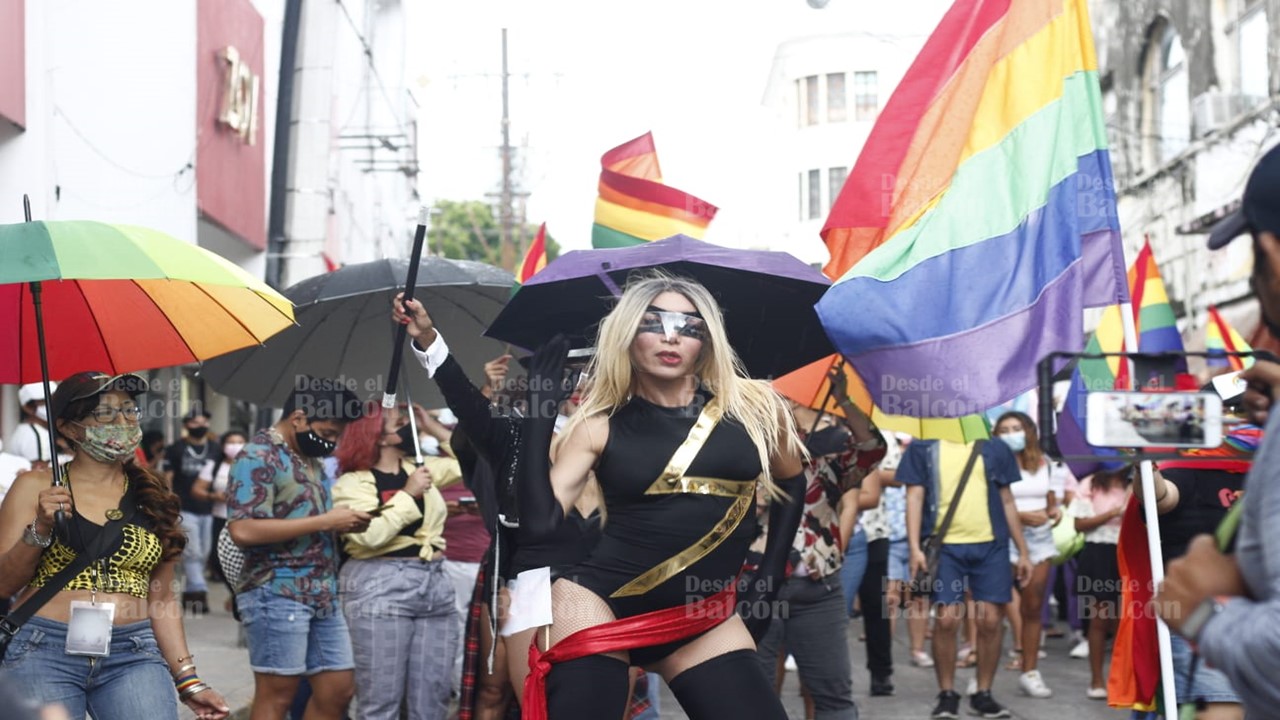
(109, 641)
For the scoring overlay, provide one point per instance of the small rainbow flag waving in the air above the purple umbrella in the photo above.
(636, 207)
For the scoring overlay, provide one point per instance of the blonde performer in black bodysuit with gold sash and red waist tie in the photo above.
(679, 521)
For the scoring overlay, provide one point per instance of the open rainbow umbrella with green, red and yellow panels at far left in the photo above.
(120, 299)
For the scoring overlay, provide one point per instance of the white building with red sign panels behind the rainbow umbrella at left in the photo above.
(162, 113)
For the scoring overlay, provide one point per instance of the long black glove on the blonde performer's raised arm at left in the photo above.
(541, 513)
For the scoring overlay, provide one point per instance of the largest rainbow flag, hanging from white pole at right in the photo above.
(980, 220)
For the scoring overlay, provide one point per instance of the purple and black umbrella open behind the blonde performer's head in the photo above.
(767, 299)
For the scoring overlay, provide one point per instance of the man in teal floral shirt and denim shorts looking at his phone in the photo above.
(280, 511)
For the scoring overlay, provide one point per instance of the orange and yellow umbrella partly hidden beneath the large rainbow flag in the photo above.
(811, 386)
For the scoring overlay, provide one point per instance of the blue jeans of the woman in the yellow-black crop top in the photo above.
(132, 682)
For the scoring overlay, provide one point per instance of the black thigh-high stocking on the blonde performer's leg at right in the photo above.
(728, 686)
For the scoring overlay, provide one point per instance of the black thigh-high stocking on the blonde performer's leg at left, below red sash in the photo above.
(592, 687)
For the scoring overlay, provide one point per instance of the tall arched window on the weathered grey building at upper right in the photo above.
(1167, 106)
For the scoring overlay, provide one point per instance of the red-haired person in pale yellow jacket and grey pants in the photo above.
(396, 595)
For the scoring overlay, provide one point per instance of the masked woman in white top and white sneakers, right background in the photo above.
(1039, 512)
